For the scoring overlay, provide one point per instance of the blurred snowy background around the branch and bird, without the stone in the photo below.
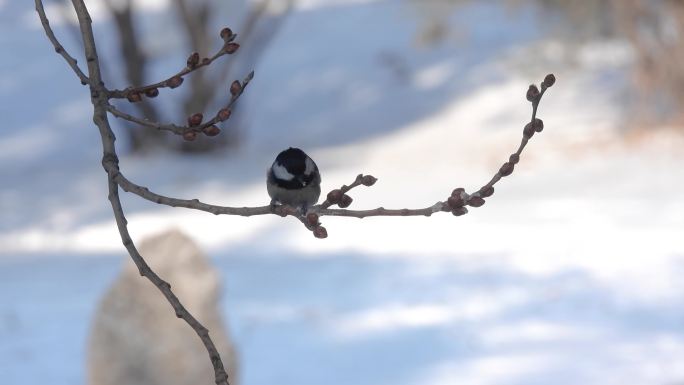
(570, 274)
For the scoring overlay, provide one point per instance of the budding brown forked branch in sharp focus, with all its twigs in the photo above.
(456, 203)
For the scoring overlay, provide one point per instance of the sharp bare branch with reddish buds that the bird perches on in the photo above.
(100, 99)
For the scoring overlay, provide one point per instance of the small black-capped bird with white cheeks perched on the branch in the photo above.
(294, 180)
